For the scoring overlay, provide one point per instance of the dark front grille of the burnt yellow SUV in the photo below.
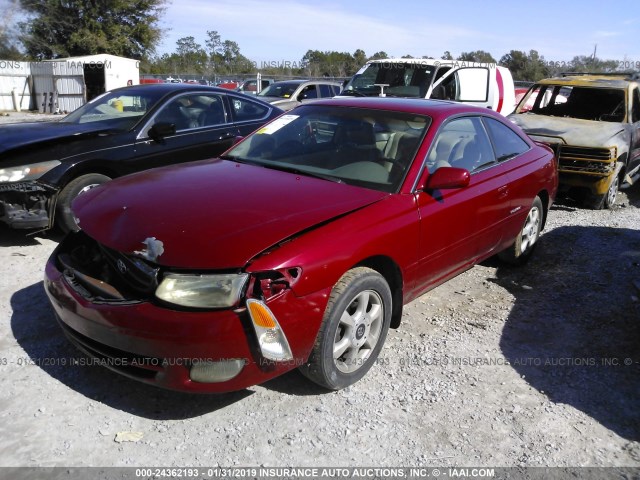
(586, 160)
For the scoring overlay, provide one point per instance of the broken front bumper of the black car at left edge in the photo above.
(25, 205)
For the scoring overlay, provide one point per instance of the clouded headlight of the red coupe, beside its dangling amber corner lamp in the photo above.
(202, 291)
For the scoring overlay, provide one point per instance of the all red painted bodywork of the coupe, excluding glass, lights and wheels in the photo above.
(223, 215)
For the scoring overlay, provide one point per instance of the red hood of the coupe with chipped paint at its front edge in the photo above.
(214, 214)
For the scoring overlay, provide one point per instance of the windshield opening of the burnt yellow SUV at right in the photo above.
(587, 103)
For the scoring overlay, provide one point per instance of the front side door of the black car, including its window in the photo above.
(203, 129)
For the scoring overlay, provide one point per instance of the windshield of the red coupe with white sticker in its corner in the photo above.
(357, 146)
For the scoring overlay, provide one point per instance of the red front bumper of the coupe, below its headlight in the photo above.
(158, 345)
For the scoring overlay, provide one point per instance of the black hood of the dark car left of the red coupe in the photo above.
(18, 135)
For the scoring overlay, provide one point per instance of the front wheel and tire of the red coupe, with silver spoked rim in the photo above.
(353, 330)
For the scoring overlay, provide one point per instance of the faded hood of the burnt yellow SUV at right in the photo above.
(571, 131)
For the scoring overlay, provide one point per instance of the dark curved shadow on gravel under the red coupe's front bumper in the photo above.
(36, 330)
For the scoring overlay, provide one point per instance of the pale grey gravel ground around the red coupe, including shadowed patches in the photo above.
(502, 366)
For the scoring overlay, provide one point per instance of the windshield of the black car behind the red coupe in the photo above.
(119, 110)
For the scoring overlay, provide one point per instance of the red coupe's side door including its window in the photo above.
(462, 224)
